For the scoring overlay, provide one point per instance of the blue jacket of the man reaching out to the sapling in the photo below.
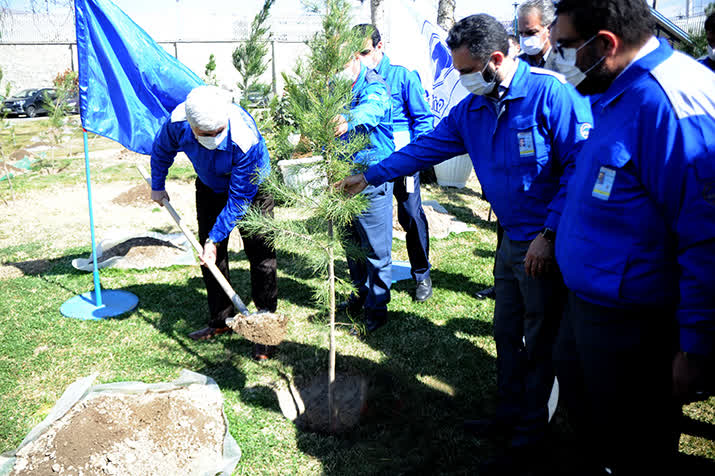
(523, 156)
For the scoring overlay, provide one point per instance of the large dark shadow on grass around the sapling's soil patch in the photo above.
(418, 395)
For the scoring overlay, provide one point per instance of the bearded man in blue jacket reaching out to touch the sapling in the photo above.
(520, 127)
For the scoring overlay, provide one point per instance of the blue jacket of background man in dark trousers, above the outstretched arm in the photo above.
(410, 111)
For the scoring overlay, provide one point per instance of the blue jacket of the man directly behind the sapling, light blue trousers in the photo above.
(371, 113)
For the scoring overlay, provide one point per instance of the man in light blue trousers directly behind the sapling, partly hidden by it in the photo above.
(370, 113)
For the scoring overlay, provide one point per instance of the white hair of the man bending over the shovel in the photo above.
(207, 108)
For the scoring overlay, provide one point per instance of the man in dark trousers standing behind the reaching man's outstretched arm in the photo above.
(411, 117)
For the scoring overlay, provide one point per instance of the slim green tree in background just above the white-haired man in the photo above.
(249, 58)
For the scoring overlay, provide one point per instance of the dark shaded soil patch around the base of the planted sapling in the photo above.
(349, 396)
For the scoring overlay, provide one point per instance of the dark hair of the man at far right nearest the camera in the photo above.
(629, 20)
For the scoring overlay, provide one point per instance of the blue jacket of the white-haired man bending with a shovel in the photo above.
(237, 166)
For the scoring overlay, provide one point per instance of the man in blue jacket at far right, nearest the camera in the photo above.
(636, 243)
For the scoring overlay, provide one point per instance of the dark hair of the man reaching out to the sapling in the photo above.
(481, 34)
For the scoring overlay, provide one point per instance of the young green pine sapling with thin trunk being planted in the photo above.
(319, 214)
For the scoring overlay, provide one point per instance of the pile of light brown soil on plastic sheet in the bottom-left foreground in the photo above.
(175, 432)
